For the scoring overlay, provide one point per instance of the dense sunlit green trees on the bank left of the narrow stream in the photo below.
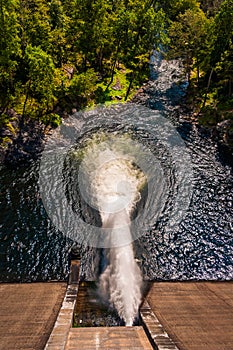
(60, 54)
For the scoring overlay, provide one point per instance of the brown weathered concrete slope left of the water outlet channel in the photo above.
(27, 314)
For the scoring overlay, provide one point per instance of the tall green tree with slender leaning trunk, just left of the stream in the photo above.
(142, 28)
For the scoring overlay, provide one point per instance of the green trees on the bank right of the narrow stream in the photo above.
(203, 38)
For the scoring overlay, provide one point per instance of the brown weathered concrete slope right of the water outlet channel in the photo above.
(197, 316)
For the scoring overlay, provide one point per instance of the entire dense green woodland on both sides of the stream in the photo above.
(57, 55)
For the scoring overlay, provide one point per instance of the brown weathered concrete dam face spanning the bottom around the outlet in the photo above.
(196, 316)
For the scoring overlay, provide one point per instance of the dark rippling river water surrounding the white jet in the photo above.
(197, 244)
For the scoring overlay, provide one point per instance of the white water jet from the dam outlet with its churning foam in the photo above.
(114, 191)
